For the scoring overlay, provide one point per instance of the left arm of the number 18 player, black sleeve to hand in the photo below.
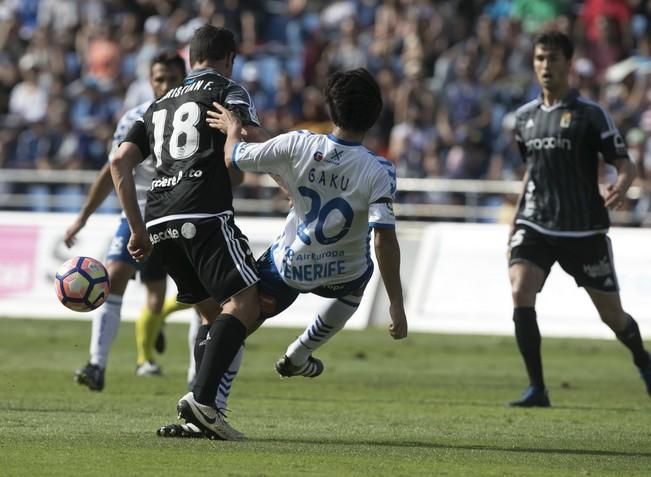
(131, 153)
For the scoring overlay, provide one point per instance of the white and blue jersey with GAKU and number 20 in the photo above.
(339, 190)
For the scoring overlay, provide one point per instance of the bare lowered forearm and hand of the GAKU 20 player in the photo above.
(387, 252)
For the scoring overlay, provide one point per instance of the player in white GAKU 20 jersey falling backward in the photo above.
(339, 191)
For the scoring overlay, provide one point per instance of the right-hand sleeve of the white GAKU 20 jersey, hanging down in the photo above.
(380, 211)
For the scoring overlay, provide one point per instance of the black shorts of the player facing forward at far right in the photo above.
(588, 259)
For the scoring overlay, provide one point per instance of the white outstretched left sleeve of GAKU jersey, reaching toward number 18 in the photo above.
(272, 156)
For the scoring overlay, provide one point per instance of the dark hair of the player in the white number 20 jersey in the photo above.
(354, 99)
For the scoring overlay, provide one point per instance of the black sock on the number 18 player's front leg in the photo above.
(226, 336)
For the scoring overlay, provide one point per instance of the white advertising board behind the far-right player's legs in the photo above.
(461, 285)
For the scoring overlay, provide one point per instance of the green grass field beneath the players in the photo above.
(429, 405)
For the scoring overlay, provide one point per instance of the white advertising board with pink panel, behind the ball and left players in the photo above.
(32, 248)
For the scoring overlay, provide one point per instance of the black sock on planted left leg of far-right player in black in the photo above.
(527, 335)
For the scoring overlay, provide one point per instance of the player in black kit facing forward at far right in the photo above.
(561, 214)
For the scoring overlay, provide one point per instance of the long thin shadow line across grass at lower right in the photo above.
(434, 445)
